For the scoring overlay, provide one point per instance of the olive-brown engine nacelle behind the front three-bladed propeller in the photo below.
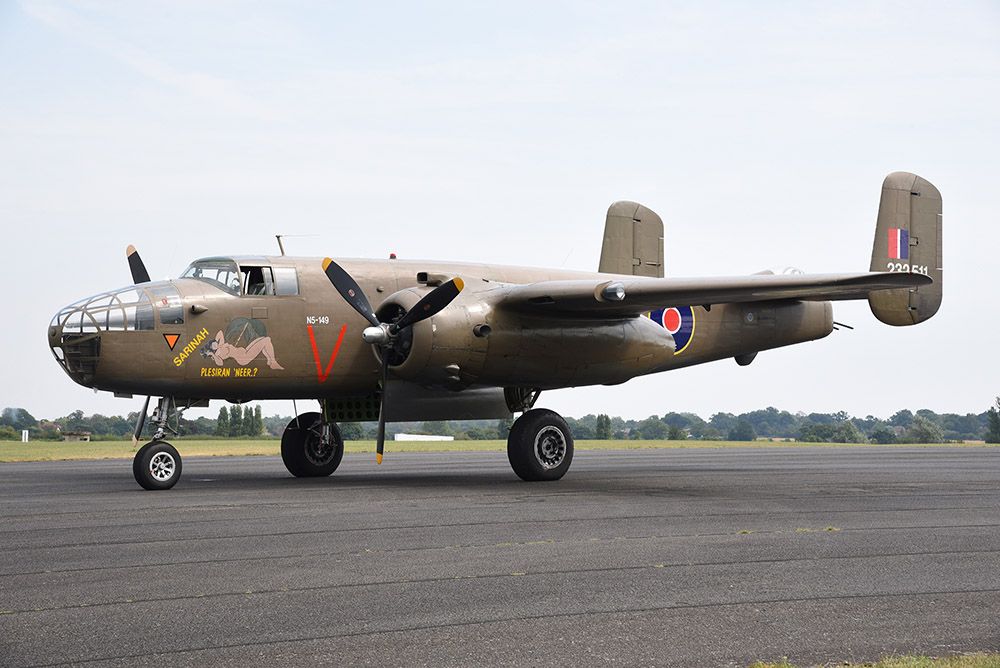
(472, 343)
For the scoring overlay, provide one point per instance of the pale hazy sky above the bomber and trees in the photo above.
(759, 131)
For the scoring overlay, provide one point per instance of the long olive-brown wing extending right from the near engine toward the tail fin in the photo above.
(631, 296)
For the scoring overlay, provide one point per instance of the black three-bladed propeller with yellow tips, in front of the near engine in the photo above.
(384, 334)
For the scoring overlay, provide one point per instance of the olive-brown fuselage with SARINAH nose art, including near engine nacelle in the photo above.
(293, 337)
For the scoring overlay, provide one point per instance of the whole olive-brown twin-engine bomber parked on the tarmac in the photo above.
(448, 340)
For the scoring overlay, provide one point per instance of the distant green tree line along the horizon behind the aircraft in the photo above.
(236, 421)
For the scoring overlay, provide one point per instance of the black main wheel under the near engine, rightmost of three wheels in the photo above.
(540, 446)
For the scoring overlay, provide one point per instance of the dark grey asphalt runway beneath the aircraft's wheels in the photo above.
(684, 557)
